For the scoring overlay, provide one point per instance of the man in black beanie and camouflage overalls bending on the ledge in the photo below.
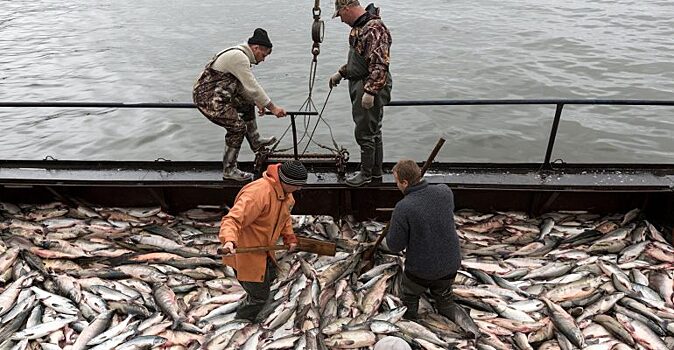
(227, 92)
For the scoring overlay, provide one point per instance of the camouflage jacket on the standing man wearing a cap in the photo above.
(371, 39)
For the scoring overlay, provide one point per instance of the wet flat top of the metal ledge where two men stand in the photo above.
(651, 178)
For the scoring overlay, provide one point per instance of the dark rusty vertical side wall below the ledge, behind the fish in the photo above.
(363, 203)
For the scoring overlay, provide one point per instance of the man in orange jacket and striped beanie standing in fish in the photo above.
(261, 213)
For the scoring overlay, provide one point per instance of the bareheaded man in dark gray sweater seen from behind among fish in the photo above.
(423, 223)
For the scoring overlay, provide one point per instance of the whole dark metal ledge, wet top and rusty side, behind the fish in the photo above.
(486, 187)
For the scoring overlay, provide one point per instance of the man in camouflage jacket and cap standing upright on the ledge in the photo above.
(367, 70)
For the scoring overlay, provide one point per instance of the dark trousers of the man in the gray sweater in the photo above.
(413, 287)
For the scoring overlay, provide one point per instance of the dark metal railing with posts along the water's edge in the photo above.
(559, 103)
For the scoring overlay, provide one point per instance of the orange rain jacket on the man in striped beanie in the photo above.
(261, 213)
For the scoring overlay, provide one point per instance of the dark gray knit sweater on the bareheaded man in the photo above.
(423, 222)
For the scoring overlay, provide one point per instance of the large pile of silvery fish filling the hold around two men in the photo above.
(86, 277)
